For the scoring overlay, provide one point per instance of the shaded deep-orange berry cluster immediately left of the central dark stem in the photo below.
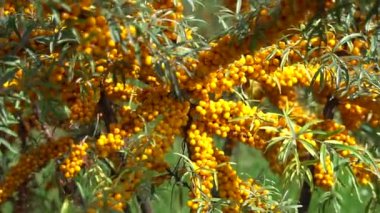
(159, 119)
